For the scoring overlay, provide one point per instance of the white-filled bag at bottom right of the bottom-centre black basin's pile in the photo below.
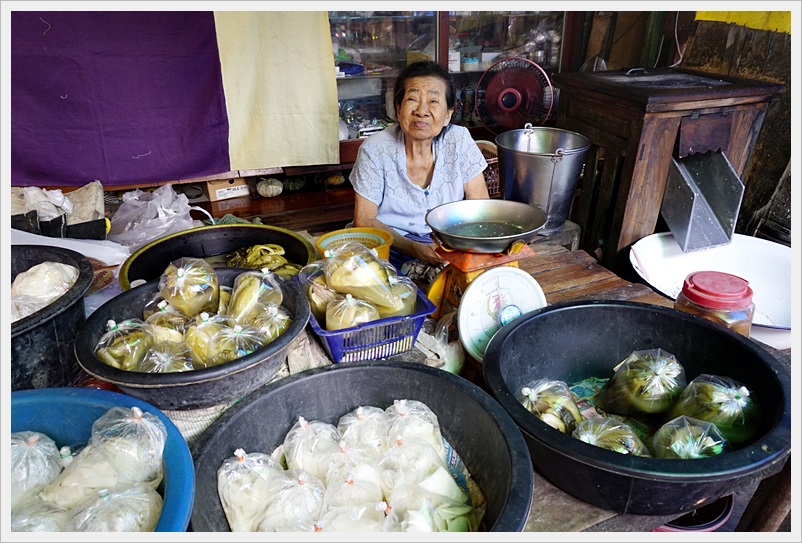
(415, 510)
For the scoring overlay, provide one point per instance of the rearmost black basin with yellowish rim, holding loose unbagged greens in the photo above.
(149, 261)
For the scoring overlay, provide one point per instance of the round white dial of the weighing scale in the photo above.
(493, 299)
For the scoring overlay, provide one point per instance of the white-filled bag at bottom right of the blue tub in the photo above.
(133, 508)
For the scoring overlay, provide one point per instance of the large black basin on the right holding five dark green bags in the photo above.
(574, 341)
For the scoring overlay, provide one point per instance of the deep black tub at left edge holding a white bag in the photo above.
(42, 343)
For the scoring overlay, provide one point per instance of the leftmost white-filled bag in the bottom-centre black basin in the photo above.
(245, 489)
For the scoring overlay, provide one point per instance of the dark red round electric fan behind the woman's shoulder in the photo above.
(512, 92)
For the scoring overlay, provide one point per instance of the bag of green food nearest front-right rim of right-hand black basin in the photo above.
(688, 438)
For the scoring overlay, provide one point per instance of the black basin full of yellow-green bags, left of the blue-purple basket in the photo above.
(197, 388)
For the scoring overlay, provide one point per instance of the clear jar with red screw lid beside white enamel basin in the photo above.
(720, 297)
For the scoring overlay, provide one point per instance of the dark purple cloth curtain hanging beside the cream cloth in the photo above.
(121, 97)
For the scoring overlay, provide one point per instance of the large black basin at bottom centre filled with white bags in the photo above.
(481, 432)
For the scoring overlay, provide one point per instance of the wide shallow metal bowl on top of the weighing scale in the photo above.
(485, 225)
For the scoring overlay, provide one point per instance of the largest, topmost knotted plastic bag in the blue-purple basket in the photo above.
(353, 269)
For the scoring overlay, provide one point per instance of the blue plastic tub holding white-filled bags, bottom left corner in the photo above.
(66, 415)
